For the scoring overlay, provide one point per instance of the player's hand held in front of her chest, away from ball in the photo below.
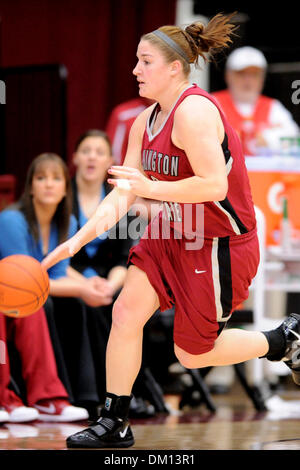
(131, 179)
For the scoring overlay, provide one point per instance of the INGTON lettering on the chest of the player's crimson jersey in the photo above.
(160, 163)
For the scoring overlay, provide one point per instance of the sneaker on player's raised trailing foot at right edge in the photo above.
(291, 329)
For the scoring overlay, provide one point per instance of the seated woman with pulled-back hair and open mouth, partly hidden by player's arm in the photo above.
(106, 256)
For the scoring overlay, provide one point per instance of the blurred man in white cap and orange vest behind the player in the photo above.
(259, 120)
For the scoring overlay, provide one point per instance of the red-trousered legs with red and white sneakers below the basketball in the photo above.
(47, 398)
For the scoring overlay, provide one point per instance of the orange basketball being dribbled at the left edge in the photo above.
(24, 285)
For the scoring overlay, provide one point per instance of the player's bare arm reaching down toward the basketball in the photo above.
(113, 207)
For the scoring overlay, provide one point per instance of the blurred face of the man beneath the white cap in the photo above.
(247, 84)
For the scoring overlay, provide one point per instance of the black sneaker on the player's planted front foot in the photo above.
(106, 432)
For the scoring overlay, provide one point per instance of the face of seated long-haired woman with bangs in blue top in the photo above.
(48, 184)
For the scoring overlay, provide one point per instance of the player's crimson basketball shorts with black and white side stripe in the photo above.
(205, 285)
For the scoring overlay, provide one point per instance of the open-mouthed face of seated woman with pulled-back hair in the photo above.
(92, 159)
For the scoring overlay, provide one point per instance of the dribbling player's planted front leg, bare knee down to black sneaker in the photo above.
(134, 306)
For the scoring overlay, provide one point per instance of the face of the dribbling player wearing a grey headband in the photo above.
(151, 71)
